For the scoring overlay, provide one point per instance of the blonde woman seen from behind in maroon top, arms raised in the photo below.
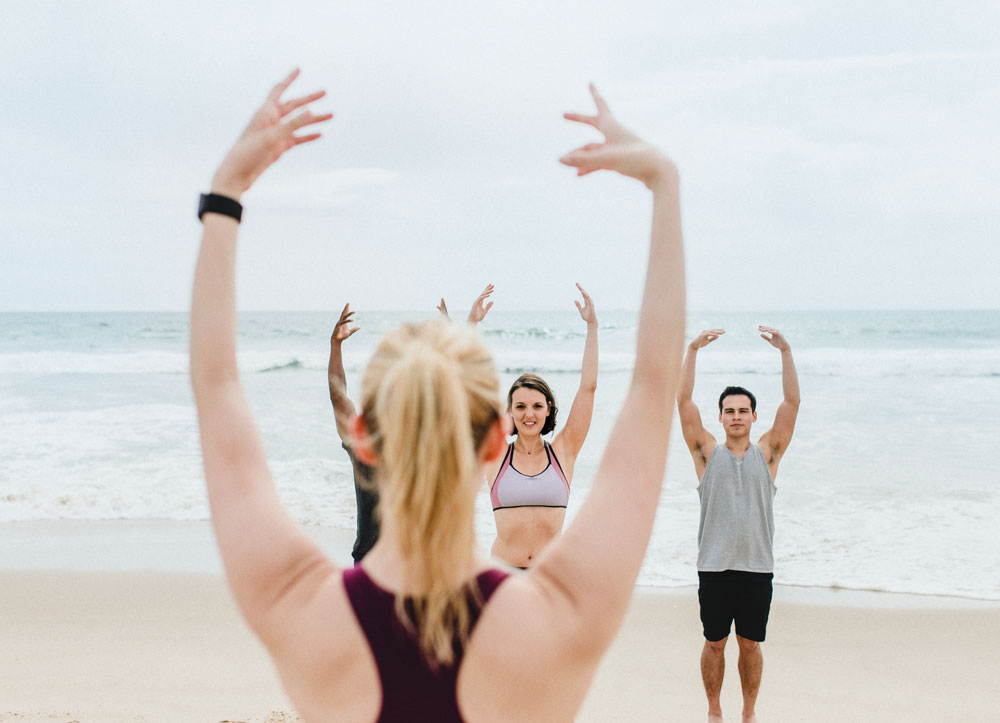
(423, 603)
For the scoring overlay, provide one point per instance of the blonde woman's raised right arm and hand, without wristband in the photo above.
(593, 566)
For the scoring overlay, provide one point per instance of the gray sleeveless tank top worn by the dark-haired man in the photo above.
(736, 531)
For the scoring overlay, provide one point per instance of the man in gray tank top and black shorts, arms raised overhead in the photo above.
(736, 529)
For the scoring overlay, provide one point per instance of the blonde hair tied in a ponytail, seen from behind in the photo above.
(429, 394)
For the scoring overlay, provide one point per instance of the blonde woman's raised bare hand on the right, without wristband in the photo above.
(621, 151)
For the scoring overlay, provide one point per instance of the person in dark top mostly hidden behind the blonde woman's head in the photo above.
(343, 412)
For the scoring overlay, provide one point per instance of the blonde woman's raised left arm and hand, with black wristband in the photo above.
(262, 549)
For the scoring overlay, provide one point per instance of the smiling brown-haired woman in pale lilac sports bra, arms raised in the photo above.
(529, 485)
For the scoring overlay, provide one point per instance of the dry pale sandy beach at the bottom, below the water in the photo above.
(152, 647)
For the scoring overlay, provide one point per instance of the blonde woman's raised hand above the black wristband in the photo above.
(266, 138)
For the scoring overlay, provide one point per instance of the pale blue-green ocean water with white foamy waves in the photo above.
(891, 481)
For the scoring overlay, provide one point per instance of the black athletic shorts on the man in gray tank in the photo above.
(734, 595)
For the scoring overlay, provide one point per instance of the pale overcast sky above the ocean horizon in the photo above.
(832, 155)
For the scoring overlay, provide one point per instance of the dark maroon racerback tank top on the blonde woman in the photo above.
(411, 689)
